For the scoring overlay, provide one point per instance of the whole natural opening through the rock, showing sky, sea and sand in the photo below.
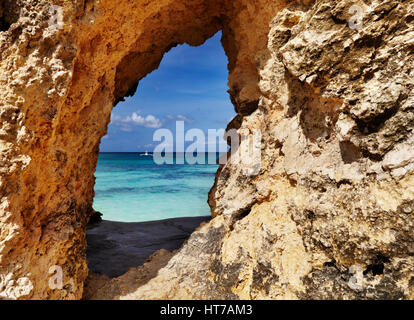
(147, 206)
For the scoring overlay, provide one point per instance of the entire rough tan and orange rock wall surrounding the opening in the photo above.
(329, 214)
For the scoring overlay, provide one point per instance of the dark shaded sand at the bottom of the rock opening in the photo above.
(113, 247)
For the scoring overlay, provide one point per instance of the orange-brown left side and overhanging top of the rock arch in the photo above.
(59, 85)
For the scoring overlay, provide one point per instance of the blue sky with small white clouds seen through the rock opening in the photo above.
(190, 86)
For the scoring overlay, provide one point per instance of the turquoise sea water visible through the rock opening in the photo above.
(131, 187)
